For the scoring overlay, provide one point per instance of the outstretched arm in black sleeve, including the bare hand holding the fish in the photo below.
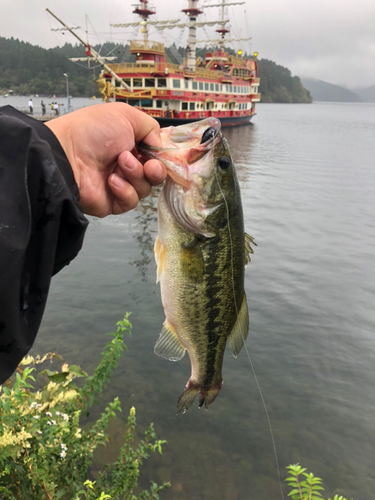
(53, 173)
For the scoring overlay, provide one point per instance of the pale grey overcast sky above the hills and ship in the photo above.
(331, 40)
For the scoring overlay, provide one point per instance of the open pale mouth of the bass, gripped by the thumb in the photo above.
(183, 146)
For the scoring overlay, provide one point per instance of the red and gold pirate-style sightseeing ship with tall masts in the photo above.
(221, 85)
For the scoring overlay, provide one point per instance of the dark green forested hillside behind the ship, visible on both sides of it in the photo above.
(28, 70)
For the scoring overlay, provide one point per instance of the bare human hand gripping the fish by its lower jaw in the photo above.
(99, 143)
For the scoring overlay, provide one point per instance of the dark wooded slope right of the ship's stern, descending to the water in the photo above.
(278, 85)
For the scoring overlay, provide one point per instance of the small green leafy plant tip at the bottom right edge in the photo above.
(305, 489)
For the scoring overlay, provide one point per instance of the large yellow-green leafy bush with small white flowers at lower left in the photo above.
(45, 454)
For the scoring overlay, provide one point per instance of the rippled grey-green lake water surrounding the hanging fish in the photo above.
(307, 174)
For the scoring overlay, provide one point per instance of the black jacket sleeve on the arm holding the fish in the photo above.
(41, 228)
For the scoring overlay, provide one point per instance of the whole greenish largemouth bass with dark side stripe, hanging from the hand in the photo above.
(201, 252)
